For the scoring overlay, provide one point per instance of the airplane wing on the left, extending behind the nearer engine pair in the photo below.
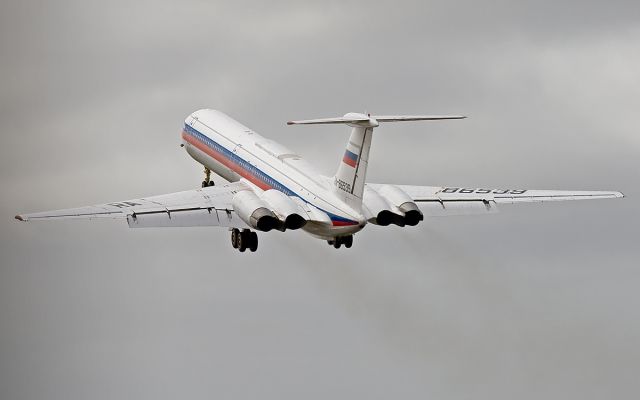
(210, 206)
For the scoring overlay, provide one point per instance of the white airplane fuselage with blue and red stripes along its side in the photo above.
(236, 152)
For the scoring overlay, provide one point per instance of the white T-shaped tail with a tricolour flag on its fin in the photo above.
(349, 180)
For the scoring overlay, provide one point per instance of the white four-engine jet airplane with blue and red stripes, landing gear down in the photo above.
(273, 188)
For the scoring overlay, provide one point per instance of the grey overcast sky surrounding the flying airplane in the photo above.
(534, 302)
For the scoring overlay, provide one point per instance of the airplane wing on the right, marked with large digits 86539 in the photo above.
(442, 201)
